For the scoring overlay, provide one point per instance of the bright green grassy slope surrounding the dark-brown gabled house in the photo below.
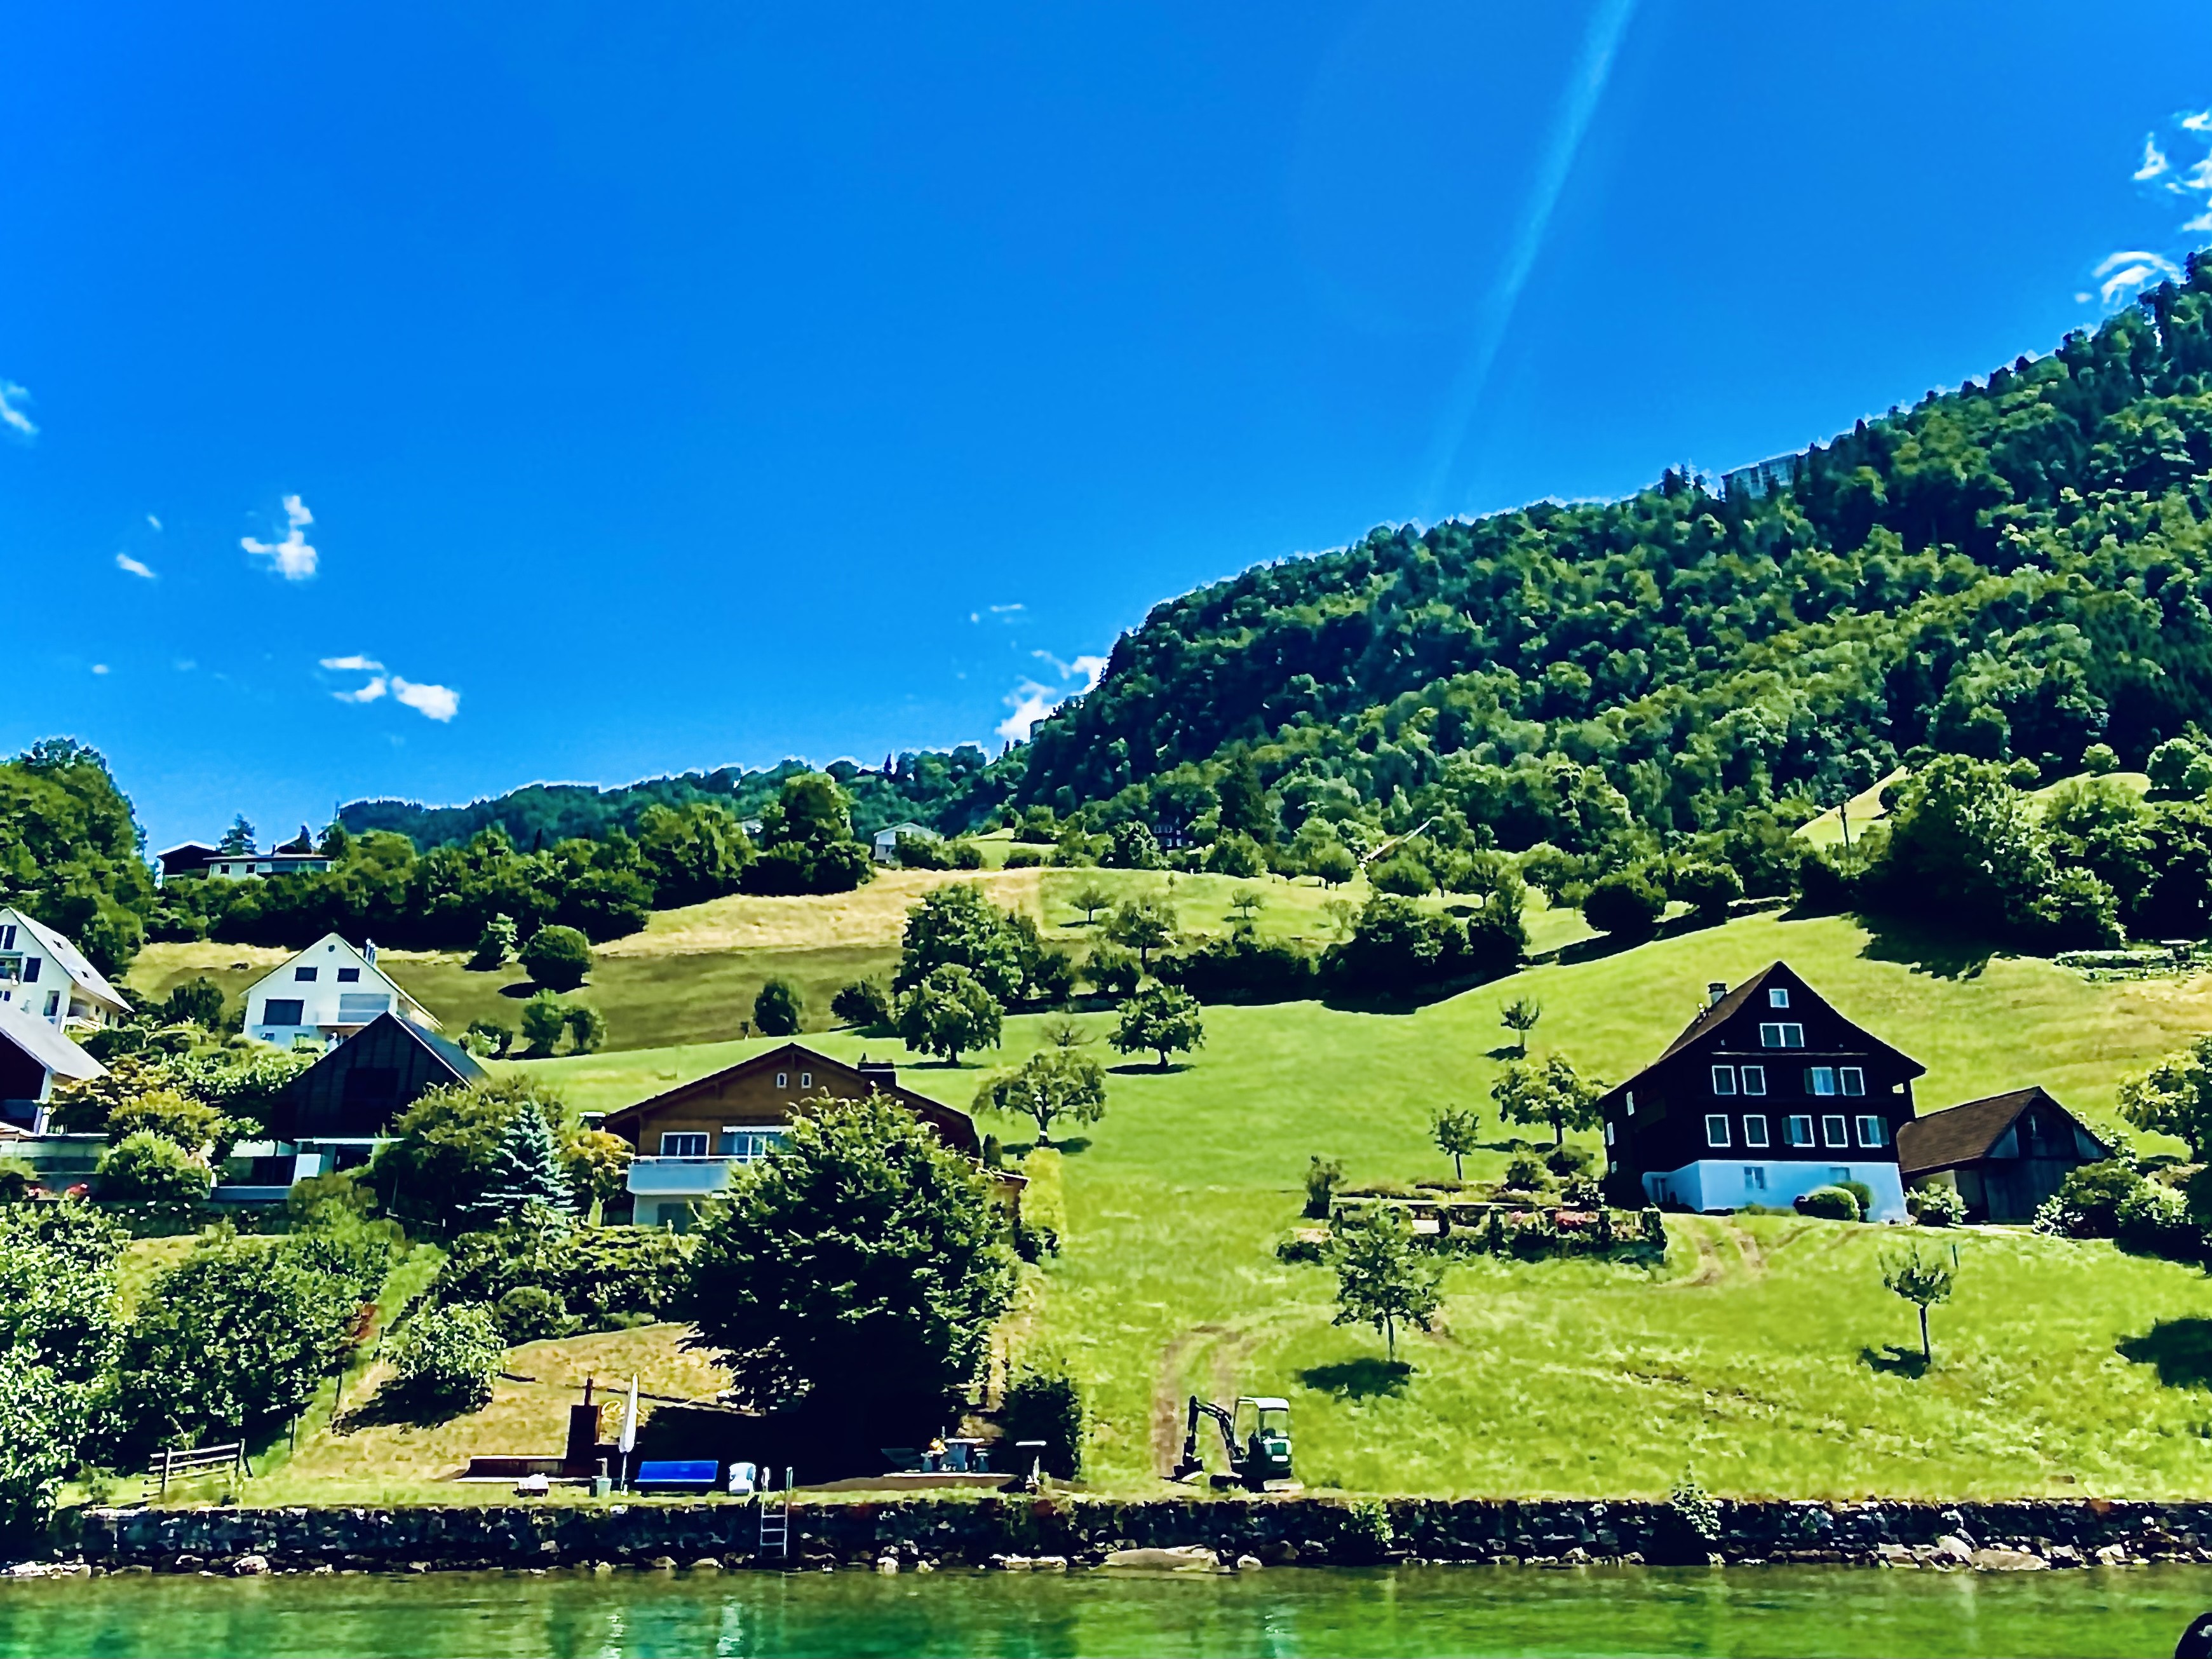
(1746, 1357)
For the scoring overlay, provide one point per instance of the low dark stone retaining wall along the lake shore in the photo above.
(943, 1532)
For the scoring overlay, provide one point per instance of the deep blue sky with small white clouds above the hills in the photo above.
(432, 399)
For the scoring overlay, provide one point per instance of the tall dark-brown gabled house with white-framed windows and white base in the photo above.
(1766, 1096)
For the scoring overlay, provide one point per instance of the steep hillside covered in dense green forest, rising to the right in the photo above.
(2012, 570)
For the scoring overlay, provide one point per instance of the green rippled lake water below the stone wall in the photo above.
(1286, 1611)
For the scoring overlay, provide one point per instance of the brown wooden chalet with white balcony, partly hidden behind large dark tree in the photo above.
(689, 1138)
